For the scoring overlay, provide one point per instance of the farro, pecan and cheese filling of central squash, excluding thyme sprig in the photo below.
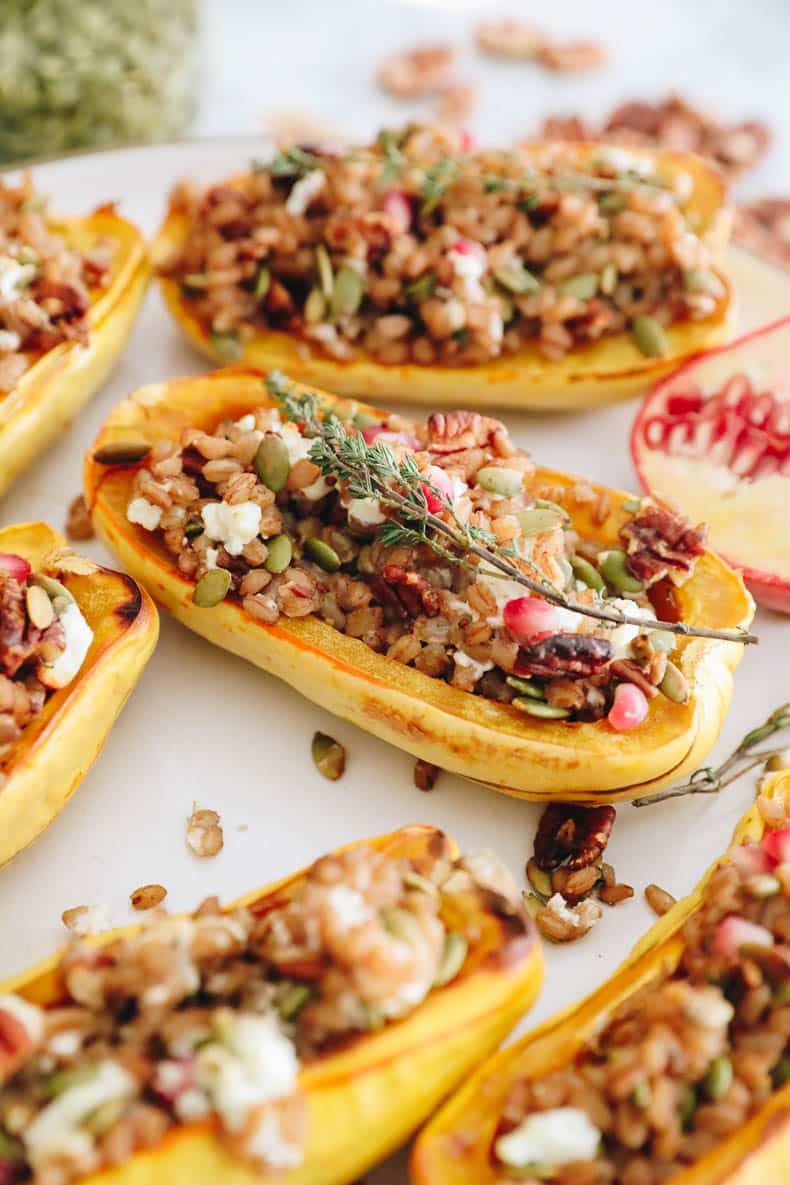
(247, 514)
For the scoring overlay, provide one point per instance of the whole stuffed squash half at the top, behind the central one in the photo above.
(547, 277)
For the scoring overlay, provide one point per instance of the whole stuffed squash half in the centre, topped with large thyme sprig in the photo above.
(210, 494)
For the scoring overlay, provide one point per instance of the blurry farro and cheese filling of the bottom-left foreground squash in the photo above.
(213, 1016)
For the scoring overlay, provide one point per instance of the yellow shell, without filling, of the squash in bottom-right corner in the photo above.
(454, 1149)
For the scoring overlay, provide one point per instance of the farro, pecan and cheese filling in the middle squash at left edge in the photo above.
(44, 639)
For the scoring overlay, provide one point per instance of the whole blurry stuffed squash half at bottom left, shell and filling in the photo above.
(299, 1036)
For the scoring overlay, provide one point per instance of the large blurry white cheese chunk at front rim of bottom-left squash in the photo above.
(253, 1064)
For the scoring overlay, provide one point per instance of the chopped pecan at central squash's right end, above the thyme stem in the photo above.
(661, 543)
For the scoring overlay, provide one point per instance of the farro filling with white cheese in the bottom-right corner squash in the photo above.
(685, 1062)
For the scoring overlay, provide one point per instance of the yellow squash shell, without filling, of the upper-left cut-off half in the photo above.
(62, 381)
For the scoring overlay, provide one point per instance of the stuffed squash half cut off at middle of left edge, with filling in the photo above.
(74, 640)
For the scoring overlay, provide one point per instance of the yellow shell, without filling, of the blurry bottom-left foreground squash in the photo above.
(367, 1099)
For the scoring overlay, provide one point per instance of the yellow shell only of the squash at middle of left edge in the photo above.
(56, 751)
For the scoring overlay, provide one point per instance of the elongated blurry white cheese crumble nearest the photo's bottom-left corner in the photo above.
(57, 1133)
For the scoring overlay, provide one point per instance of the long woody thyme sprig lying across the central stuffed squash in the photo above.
(372, 471)
